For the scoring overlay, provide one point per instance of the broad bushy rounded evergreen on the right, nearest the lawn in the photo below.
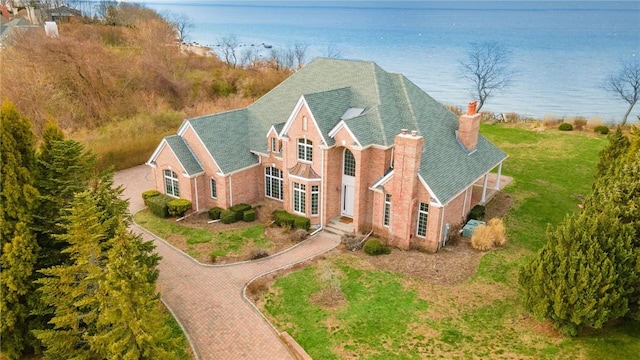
(584, 275)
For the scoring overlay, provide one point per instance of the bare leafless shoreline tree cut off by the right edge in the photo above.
(626, 85)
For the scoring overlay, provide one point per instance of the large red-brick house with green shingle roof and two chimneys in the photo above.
(338, 139)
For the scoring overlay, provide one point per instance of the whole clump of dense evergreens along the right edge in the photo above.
(588, 272)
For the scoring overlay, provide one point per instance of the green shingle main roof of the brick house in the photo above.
(331, 87)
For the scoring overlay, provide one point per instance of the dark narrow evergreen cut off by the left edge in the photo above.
(17, 242)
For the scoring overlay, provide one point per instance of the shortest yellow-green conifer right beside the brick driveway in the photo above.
(128, 323)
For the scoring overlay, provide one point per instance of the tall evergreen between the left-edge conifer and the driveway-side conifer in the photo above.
(71, 289)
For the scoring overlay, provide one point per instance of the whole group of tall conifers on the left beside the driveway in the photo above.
(75, 282)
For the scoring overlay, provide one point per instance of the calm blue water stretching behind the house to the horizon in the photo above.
(561, 52)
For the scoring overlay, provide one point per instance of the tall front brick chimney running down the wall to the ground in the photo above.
(404, 186)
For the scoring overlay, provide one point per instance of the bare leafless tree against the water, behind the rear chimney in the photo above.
(487, 67)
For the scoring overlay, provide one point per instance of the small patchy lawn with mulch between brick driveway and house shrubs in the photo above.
(228, 243)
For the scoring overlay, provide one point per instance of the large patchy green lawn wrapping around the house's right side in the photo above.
(341, 308)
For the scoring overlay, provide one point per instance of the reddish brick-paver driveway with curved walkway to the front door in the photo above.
(208, 301)
